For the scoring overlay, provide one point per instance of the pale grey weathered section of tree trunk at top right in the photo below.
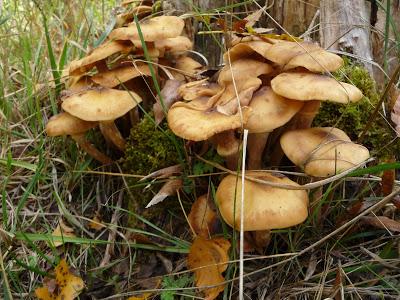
(344, 26)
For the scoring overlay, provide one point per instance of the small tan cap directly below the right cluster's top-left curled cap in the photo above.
(243, 68)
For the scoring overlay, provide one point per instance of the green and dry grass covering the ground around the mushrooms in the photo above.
(43, 180)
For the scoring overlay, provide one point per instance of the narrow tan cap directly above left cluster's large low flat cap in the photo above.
(114, 77)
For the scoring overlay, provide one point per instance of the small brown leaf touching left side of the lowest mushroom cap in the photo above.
(202, 217)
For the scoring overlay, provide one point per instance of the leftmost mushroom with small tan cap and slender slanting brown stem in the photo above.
(66, 124)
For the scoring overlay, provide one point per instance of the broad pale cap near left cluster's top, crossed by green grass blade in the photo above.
(154, 29)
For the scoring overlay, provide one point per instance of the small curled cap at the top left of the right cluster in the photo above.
(246, 49)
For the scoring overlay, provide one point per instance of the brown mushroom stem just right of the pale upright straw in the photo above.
(255, 148)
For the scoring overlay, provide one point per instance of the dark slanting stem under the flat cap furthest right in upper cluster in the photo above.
(302, 120)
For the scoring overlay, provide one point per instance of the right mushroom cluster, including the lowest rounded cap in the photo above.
(269, 86)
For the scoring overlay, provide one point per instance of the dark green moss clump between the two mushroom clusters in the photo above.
(148, 149)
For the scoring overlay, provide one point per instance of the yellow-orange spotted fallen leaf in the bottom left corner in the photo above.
(65, 286)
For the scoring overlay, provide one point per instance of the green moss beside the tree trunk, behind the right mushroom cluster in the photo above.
(353, 117)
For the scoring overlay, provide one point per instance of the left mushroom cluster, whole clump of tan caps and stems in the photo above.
(110, 81)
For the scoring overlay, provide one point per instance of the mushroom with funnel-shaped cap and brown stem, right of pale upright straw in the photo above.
(269, 111)
